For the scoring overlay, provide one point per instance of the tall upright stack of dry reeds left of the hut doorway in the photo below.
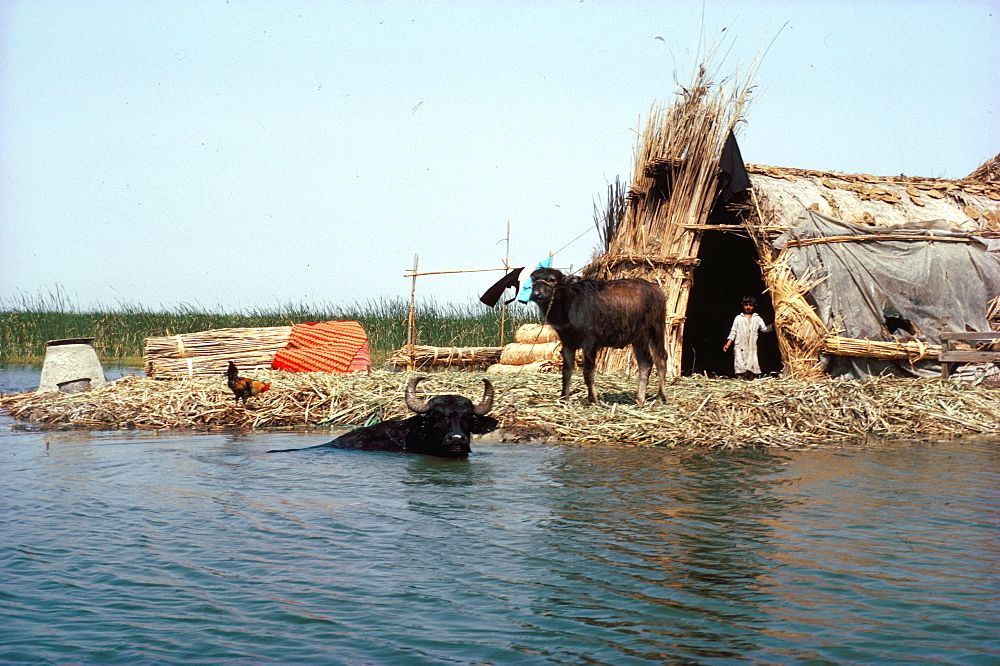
(675, 178)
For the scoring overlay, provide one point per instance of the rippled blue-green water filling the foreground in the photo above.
(164, 548)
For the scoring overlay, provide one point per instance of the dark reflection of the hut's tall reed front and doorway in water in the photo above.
(696, 529)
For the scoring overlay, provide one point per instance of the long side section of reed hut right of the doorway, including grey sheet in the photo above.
(864, 272)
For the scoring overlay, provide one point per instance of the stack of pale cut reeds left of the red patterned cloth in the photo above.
(209, 352)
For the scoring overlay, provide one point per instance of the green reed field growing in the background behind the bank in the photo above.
(28, 322)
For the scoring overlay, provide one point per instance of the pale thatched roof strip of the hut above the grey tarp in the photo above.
(883, 201)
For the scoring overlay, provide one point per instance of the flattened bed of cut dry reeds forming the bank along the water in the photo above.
(713, 413)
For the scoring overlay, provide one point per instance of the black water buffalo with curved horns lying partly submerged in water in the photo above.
(441, 426)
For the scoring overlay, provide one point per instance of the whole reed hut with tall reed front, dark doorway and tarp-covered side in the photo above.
(860, 273)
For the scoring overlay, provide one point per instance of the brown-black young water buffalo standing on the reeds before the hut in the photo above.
(593, 314)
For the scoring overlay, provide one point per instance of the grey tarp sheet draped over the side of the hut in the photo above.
(935, 285)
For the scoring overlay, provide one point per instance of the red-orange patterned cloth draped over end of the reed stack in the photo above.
(329, 346)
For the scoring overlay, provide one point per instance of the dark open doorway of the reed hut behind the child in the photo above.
(727, 272)
